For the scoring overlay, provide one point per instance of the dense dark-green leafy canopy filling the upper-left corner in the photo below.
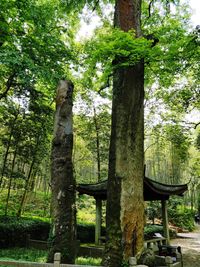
(35, 50)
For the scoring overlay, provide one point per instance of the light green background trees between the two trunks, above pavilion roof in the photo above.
(92, 129)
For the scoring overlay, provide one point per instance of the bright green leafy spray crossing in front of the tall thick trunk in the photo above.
(112, 48)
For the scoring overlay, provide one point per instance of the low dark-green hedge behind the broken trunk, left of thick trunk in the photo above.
(14, 231)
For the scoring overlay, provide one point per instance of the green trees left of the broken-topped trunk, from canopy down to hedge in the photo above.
(33, 52)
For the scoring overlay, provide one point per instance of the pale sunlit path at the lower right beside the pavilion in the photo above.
(190, 244)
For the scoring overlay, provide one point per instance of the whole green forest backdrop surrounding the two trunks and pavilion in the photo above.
(45, 41)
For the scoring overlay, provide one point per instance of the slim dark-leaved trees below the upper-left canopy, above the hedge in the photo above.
(25, 141)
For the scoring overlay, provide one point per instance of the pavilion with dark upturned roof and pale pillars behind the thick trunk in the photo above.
(153, 190)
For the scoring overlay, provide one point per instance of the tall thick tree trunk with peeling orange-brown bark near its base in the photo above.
(125, 204)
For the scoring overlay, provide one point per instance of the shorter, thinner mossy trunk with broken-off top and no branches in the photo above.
(62, 180)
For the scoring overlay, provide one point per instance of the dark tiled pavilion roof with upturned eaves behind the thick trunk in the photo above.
(153, 190)
